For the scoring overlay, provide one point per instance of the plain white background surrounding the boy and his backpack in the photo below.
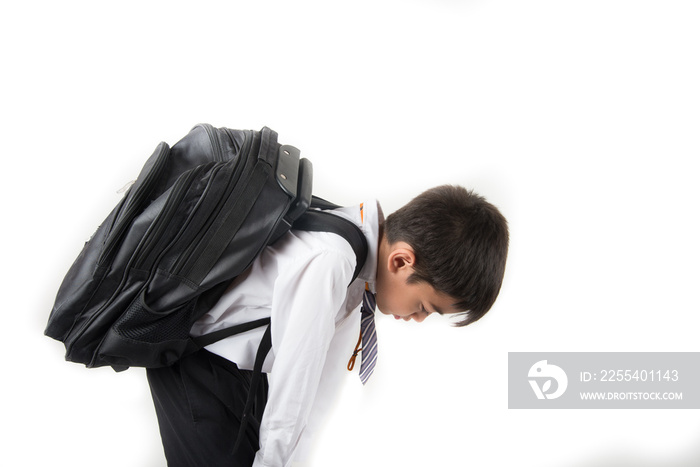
(579, 120)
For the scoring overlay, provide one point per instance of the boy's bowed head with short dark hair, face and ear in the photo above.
(448, 246)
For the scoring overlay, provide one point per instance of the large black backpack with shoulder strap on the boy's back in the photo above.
(196, 217)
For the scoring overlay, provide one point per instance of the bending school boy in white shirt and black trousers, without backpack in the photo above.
(444, 252)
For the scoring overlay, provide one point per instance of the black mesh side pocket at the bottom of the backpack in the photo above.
(142, 324)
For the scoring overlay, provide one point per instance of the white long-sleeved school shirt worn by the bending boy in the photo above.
(301, 283)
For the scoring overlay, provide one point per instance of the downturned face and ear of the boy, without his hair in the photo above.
(403, 300)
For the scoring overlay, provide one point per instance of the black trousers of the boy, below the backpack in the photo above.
(199, 404)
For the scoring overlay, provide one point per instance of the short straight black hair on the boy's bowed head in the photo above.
(460, 242)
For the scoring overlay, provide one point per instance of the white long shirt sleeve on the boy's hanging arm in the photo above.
(305, 302)
